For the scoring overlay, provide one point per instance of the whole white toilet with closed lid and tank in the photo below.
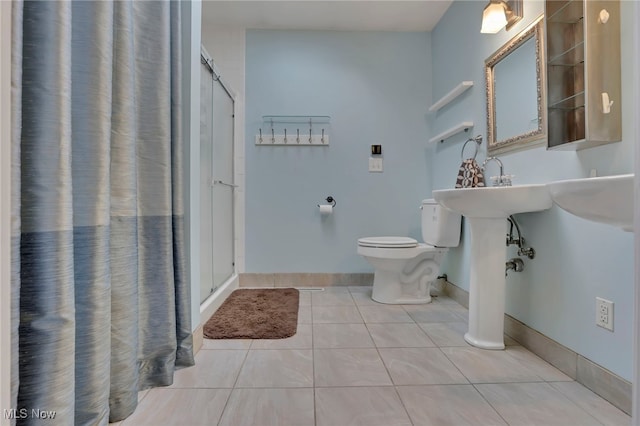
(403, 268)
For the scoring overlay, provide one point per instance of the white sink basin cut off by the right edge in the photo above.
(607, 199)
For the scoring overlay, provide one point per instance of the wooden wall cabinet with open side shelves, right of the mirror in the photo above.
(583, 73)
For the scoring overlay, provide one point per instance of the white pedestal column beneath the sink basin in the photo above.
(487, 282)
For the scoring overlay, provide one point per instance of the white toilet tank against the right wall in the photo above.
(440, 226)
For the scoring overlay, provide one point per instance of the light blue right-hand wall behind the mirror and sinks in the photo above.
(576, 260)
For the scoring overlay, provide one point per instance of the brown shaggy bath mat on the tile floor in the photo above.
(269, 313)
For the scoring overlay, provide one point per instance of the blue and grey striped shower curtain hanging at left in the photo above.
(101, 305)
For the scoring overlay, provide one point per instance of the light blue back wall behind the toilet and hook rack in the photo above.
(376, 88)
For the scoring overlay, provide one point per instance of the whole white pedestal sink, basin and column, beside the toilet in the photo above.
(486, 210)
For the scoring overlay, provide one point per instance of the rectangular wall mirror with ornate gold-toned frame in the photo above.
(516, 114)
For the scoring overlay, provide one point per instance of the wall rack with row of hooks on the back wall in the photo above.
(294, 130)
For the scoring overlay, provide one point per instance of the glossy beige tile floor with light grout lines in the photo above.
(357, 362)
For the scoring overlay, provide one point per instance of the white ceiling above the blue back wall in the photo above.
(346, 15)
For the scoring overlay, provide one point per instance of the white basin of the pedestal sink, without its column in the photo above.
(496, 202)
